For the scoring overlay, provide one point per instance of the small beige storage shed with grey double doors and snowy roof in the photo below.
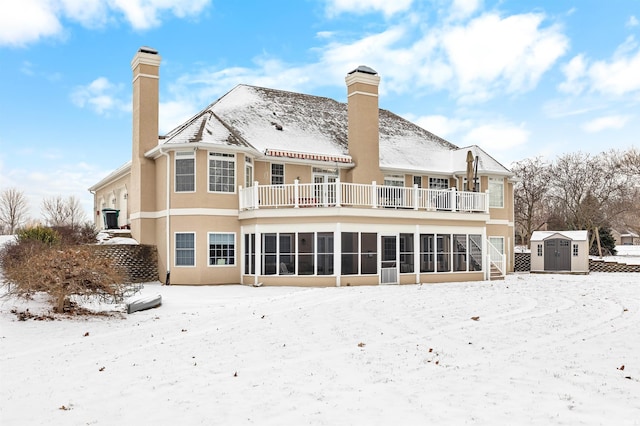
(560, 252)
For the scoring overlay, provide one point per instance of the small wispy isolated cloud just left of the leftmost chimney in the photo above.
(101, 96)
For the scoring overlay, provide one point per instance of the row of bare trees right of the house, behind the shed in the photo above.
(578, 191)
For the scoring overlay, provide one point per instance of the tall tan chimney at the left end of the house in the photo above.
(146, 73)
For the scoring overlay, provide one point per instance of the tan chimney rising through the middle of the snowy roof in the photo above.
(363, 125)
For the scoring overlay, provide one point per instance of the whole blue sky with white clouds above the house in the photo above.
(518, 78)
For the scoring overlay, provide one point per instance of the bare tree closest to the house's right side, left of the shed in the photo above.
(530, 194)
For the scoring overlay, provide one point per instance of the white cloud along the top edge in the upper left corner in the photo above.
(28, 21)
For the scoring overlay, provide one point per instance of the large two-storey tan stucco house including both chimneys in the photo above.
(271, 187)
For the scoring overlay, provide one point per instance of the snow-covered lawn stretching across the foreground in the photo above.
(542, 349)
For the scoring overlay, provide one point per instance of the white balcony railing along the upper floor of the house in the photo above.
(340, 194)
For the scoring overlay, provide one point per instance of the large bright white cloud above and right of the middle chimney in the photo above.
(475, 60)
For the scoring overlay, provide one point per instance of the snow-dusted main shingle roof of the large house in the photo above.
(280, 121)
